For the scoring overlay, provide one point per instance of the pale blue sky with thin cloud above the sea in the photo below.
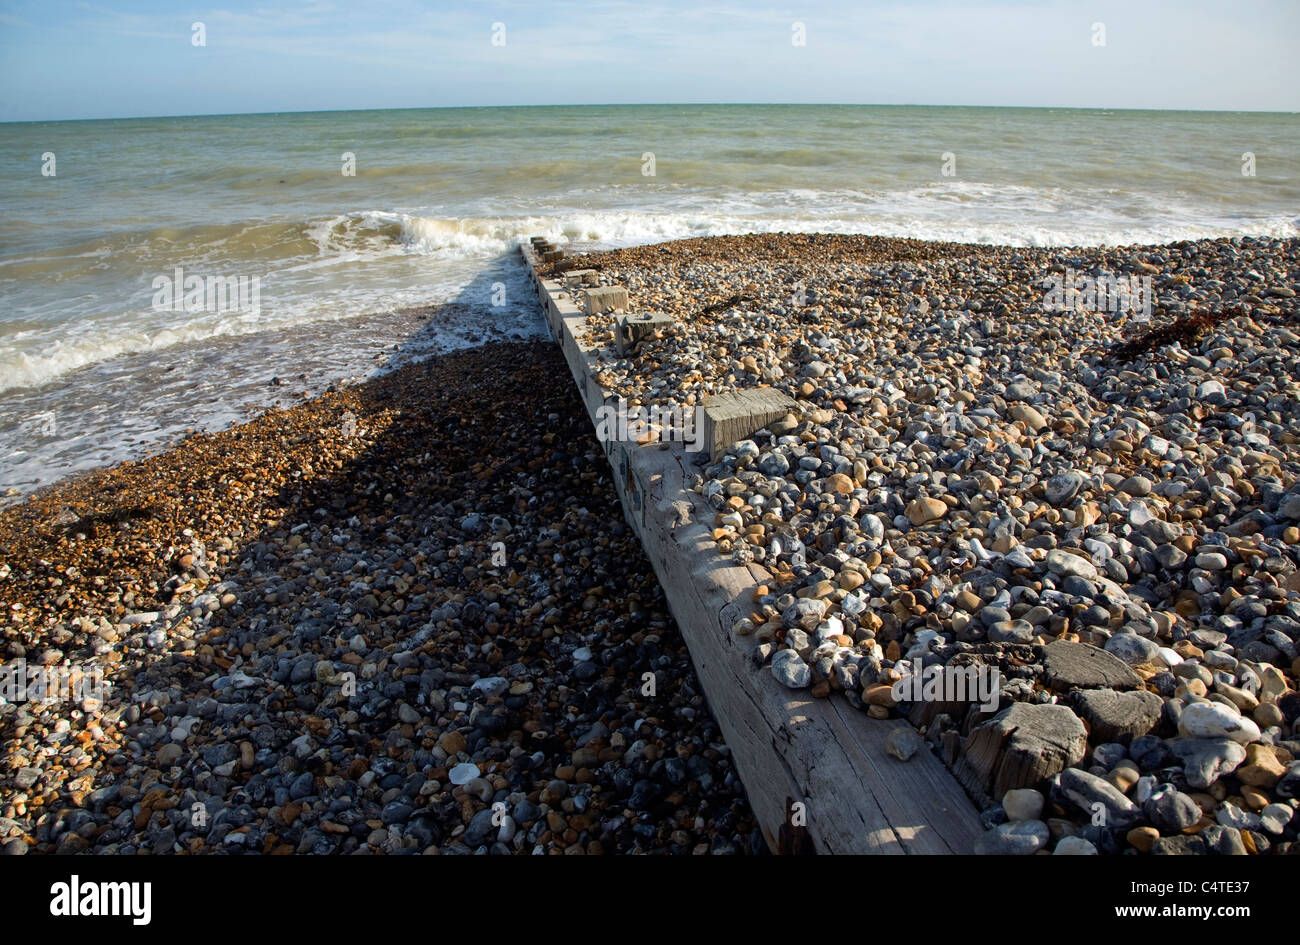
(64, 59)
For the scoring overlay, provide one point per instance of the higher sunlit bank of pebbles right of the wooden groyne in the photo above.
(1100, 505)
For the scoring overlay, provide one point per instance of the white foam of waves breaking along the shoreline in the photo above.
(362, 262)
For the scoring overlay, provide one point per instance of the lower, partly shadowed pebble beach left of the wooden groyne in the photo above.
(402, 618)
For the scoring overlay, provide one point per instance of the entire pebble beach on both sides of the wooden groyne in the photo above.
(408, 618)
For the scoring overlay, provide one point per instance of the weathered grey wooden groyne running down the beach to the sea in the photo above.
(788, 747)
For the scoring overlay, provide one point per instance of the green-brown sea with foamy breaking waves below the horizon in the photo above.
(163, 276)
